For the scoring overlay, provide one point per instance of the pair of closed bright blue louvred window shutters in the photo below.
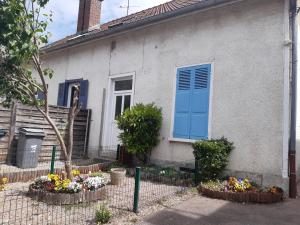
(192, 102)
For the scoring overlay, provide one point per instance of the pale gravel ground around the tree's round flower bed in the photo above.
(17, 208)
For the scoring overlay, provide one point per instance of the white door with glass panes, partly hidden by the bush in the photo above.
(122, 100)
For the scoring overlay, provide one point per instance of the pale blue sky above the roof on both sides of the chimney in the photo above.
(65, 13)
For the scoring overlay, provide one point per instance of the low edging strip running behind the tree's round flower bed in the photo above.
(25, 176)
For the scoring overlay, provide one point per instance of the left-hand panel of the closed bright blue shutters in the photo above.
(182, 104)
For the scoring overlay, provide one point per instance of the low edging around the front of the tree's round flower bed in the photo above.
(65, 198)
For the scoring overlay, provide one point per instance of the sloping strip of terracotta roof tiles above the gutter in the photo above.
(156, 10)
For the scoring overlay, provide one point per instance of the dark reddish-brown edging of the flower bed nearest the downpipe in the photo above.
(254, 197)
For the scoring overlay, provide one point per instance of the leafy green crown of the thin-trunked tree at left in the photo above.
(22, 34)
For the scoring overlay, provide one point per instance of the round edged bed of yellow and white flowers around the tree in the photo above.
(53, 189)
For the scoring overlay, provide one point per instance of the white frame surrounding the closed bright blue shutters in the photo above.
(184, 140)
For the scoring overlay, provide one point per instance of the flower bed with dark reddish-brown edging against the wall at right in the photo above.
(241, 190)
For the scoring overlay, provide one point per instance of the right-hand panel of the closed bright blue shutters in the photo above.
(200, 102)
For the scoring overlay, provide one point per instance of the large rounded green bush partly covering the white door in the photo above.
(140, 128)
